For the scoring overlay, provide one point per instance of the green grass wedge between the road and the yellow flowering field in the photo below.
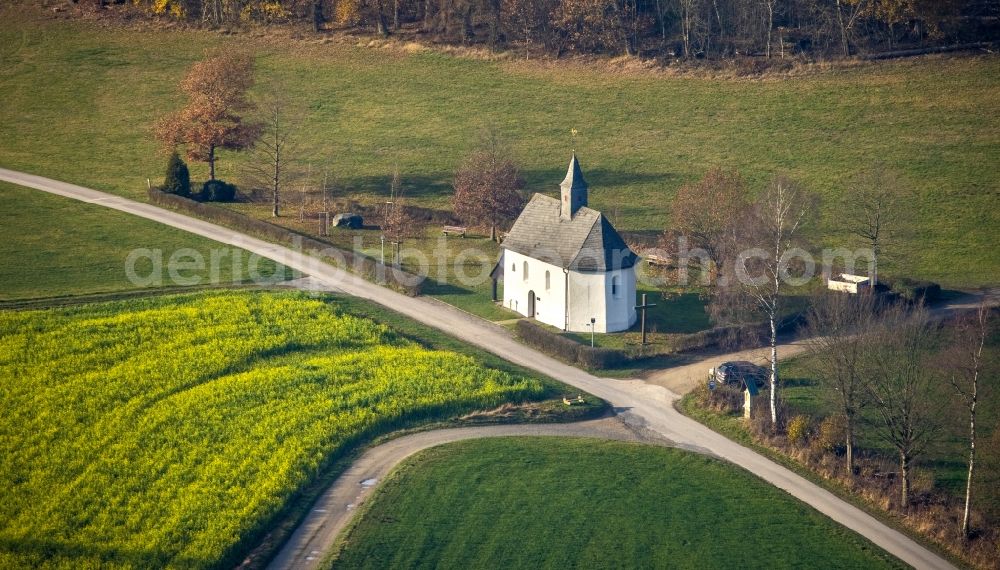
(55, 246)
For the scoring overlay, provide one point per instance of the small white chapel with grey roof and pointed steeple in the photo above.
(565, 265)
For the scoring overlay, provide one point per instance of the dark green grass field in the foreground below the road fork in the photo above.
(578, 503)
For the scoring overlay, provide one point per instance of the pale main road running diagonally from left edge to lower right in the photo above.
(638, 402)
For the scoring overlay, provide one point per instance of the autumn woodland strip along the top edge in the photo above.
(655, 28)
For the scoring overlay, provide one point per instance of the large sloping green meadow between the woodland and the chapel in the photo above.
(80, 99)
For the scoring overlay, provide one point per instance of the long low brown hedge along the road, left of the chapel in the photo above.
(367, 267)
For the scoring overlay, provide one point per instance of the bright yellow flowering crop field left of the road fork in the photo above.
(174, 430)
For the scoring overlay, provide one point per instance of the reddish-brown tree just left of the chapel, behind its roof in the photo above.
(488, 185)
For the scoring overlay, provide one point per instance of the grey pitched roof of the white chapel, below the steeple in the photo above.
(588, 242)
